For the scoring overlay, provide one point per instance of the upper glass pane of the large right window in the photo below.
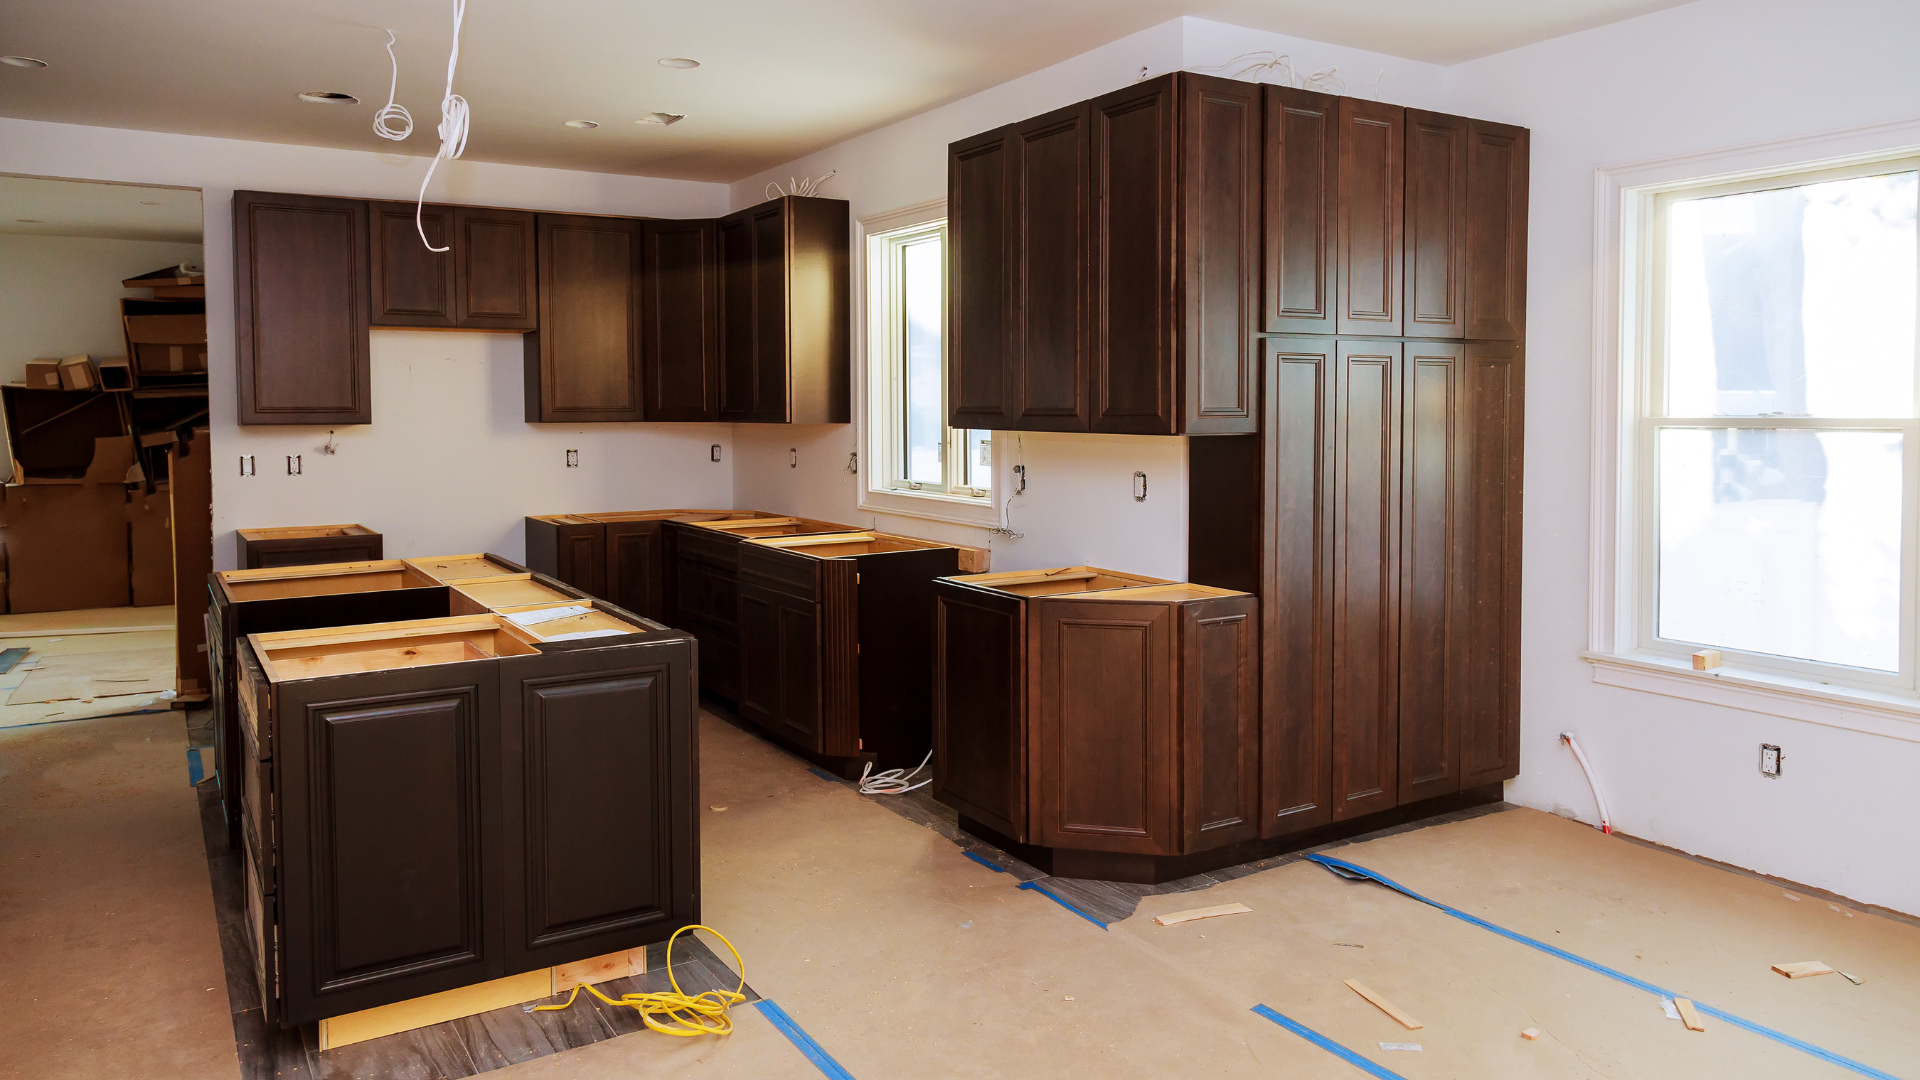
(1794, 303)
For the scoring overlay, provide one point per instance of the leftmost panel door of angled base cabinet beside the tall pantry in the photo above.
(980, 724)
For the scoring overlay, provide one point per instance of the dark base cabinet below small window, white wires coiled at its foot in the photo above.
(834, 641)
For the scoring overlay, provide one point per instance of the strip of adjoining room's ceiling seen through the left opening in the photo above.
(39, 207)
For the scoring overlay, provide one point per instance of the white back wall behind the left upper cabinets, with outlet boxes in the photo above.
(448, 462)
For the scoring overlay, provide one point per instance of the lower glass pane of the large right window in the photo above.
(1783, 541)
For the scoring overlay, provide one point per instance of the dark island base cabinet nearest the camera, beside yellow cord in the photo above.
(439, 802)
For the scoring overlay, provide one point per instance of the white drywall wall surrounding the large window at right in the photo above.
(1708, 76)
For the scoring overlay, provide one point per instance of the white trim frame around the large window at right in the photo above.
(1623, 197)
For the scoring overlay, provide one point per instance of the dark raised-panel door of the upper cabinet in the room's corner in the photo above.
(681, 320)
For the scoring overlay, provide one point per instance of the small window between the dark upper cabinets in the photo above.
(919, 464)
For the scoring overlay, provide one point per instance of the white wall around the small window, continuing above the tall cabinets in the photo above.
(1078, 506)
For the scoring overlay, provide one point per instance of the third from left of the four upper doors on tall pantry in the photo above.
(1437, 226)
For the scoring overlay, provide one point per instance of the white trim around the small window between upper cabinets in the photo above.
(876, 391)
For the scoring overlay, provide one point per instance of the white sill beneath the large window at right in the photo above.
(1762, 693)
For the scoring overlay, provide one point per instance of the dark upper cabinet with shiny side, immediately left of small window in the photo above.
(784, 312)
